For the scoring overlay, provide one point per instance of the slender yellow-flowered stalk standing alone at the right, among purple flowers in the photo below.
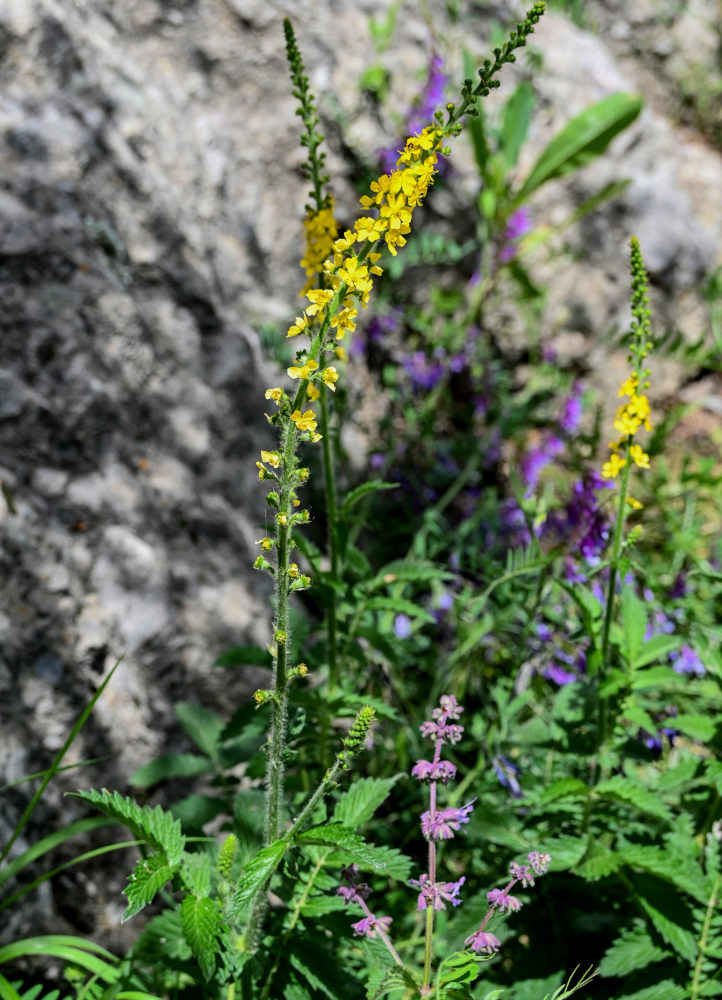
(626, 451)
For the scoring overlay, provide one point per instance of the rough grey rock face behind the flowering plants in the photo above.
(149, 229)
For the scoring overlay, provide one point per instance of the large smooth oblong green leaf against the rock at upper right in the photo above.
(581, 140)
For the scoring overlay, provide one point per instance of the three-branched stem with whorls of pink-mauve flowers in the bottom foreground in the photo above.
(439, 824)
